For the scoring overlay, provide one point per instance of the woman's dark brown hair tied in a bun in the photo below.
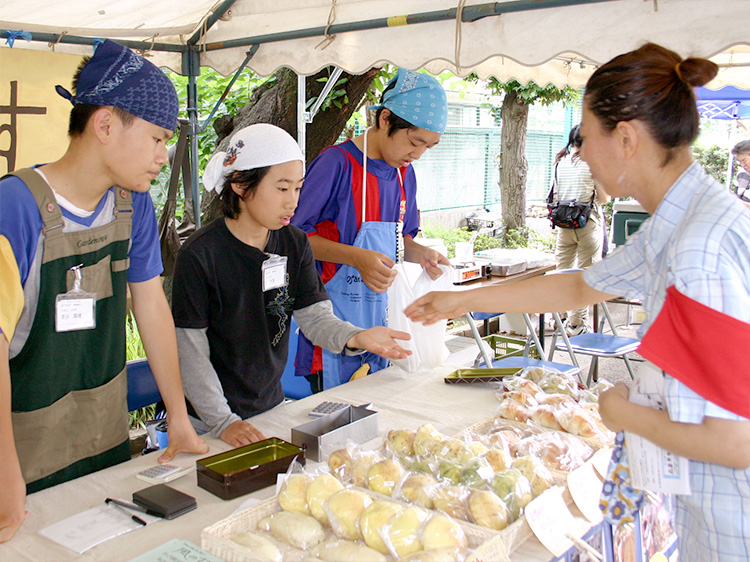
(654, 85)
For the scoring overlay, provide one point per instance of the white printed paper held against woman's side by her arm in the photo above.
(651, 467)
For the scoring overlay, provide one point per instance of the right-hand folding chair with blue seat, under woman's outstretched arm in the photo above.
(598, 345)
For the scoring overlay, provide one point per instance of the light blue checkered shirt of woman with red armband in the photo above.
(699, 241)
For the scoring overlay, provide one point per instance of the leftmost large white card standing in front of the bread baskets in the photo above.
(551, 521)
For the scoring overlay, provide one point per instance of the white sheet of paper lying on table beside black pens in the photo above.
(85, 530)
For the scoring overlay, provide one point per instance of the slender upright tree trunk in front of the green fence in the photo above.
(513, 165)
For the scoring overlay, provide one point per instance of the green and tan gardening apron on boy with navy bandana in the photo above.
(69, 389)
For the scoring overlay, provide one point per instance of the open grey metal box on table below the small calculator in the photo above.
(349, 424)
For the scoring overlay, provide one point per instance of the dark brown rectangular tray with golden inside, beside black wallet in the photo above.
(246, 469)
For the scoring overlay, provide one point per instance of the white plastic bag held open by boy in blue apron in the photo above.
(428, 342)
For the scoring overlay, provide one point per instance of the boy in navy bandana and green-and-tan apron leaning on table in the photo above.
(74, 236)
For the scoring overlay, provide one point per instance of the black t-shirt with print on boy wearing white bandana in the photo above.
(217, 285)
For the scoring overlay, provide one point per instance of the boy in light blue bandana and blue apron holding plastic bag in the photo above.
(356, 227)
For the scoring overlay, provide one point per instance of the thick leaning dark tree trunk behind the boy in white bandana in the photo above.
(276, 102)
